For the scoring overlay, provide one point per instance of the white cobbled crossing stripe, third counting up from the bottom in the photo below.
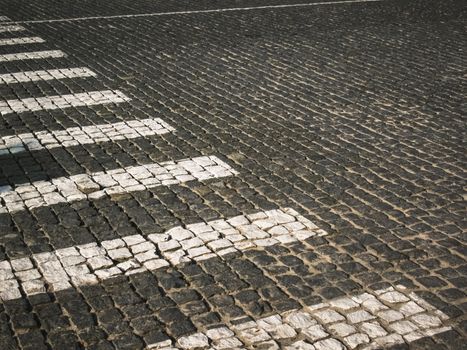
(100, 184)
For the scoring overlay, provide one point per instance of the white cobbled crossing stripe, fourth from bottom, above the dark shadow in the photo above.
(84, 135)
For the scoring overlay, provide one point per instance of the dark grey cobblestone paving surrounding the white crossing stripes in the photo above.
(353, 115)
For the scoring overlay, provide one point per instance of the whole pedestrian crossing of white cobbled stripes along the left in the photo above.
(364, 319)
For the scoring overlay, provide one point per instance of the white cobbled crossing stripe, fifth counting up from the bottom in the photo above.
(62, 101)
